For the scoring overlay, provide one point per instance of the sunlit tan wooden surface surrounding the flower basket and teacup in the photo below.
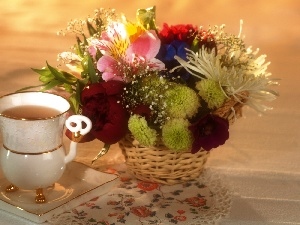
(261, 158)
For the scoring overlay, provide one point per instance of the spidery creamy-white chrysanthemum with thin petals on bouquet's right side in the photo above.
(246, 73)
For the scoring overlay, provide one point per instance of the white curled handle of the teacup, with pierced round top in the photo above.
(74, 124)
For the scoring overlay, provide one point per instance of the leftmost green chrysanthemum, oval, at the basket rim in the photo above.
(141, 131)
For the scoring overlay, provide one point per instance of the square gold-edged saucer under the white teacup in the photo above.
(78, 184)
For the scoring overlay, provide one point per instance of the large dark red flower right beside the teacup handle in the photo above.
(101, 104)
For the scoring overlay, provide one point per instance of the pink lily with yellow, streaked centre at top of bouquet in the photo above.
(120, 56)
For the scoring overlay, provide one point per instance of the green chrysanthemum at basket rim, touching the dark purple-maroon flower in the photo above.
(176, 135)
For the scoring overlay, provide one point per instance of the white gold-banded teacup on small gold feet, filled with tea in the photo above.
(33, 156)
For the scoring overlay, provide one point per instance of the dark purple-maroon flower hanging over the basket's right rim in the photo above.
(209, 132)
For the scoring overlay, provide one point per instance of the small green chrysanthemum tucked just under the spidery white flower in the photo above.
(211, 92)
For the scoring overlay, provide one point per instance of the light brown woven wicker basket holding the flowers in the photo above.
(159, 164)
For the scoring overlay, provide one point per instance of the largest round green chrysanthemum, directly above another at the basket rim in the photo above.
(181, 102)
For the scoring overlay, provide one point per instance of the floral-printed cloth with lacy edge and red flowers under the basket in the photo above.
(203, 201)
